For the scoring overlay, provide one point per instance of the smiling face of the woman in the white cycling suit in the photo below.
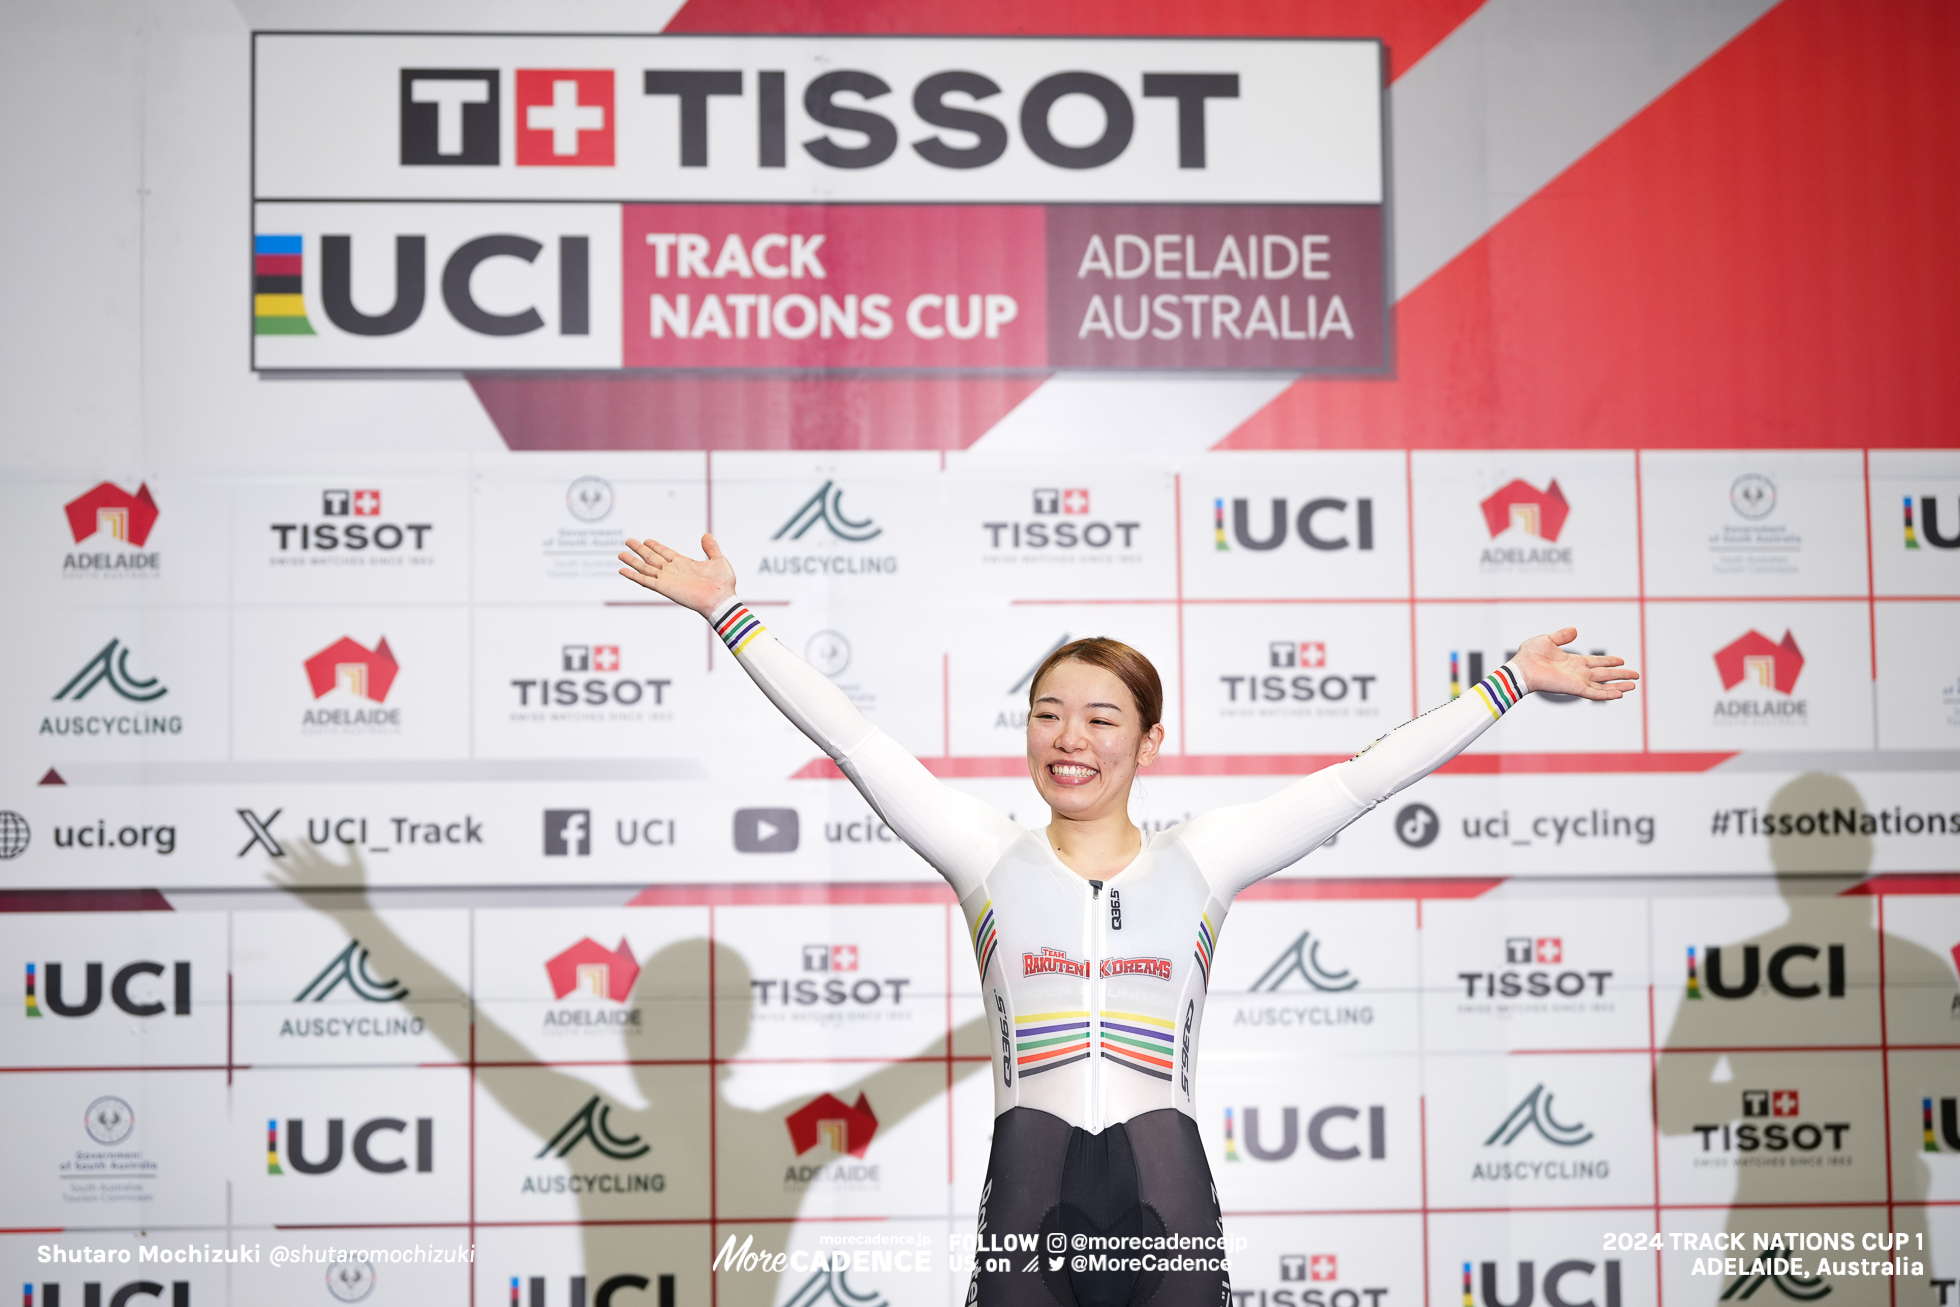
(1085, 742)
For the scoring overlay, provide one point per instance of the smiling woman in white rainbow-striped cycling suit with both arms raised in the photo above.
(1095, 940)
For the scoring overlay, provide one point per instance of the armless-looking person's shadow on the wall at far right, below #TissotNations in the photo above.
(1747, 1110)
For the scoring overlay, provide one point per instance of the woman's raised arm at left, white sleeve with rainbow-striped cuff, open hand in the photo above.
(957, 834)
